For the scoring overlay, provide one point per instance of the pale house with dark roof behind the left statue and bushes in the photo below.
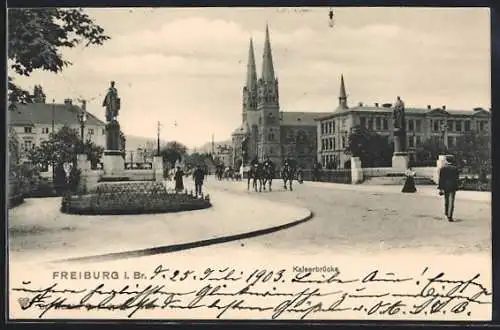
(34, 122)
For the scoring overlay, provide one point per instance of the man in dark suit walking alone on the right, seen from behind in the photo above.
(448, 185)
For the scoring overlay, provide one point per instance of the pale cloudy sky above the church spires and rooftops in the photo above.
(186, 67)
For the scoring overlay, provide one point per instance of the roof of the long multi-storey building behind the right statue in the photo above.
(408, 111)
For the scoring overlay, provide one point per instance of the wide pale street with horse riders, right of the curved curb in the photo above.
(365, 221)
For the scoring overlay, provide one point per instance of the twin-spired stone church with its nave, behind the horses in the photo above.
(266, 130)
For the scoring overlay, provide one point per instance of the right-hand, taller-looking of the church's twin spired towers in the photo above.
(269, 134)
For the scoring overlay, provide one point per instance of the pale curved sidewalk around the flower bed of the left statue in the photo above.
(38, 230)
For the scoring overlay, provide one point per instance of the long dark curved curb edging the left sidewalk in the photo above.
(186, 246)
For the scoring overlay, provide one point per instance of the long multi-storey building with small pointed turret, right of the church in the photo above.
(422, 124)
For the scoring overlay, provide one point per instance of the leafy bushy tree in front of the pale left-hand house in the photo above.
(62, 147)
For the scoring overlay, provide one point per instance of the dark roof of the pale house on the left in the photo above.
(41, 113)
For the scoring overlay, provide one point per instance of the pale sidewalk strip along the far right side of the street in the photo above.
(479, 196)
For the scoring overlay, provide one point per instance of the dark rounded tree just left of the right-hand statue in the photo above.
(373, 149)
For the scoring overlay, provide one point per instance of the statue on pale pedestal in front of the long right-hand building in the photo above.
(400, 156)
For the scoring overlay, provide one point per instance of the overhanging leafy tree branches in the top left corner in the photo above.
(36, 37)
